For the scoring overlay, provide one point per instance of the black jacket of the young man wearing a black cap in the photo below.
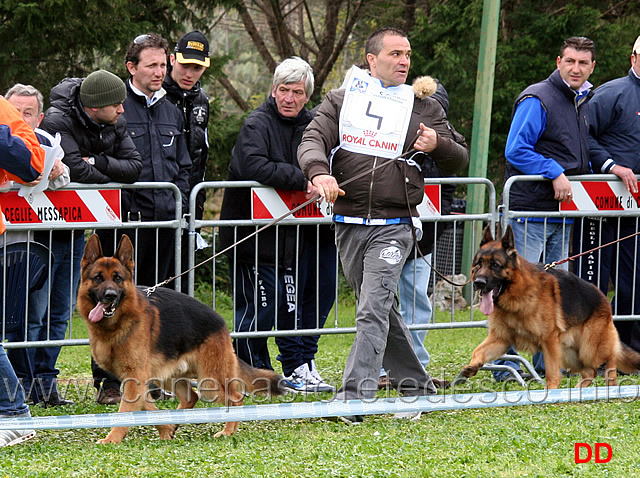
(194, 105)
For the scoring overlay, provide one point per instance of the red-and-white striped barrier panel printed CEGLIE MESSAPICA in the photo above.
(63, 206)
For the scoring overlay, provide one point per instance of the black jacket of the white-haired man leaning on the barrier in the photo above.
(265, 152)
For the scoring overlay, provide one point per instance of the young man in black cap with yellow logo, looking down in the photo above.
(182, 84)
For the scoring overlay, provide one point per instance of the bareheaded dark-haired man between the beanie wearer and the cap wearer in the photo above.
(157, 129)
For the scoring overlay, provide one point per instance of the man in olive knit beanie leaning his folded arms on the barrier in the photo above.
(98, 149)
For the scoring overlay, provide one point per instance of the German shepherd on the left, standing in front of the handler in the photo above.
(168, 338)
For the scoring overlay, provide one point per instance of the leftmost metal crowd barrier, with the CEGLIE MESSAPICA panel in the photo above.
(16, 320)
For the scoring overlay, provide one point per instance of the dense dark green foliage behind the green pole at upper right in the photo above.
(446, 43)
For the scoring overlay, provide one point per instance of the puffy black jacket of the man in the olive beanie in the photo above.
(116, 158)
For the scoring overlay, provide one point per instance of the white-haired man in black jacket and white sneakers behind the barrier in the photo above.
(267, 270)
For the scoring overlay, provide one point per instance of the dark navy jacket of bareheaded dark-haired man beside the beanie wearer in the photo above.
(157, 132)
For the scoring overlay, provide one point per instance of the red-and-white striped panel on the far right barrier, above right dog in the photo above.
(601, 196)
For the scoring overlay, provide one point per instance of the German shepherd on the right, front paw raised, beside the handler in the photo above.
(554, 311)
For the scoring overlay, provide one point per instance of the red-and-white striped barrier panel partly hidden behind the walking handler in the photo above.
(269, 203)
